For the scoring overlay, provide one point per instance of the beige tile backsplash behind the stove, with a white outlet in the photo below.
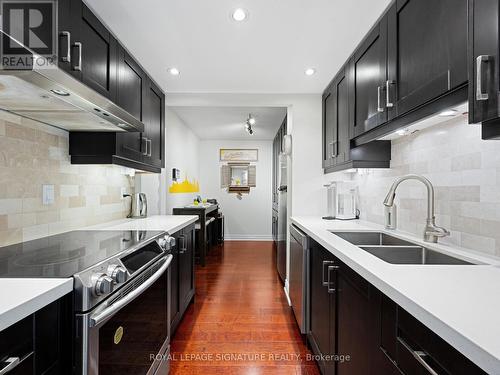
(33, 154)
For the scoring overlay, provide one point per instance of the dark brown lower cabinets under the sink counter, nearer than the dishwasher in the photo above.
(366, 333)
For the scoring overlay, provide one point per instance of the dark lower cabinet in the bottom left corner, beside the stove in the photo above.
(42, 341)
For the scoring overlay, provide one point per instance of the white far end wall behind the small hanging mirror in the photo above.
(250, 217)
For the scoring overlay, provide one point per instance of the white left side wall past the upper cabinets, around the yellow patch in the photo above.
(182, 152)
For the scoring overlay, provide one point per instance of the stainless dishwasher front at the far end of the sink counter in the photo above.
(299, 277)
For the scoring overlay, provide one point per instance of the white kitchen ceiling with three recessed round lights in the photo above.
(267, 53)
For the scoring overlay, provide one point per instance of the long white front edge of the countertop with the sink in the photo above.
(464, 345)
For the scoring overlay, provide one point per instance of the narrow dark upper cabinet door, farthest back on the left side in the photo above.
(155, 125)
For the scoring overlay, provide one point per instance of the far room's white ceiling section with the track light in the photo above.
(229, 122)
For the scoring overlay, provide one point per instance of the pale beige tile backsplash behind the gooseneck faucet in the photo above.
(465, 172)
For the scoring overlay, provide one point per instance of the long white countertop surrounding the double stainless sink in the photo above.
(461, 303)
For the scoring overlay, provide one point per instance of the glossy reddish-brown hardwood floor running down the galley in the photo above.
(240, 322)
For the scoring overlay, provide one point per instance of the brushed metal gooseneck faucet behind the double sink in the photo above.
(432, 232)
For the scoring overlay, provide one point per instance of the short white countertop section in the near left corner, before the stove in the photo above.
(20, 298)
